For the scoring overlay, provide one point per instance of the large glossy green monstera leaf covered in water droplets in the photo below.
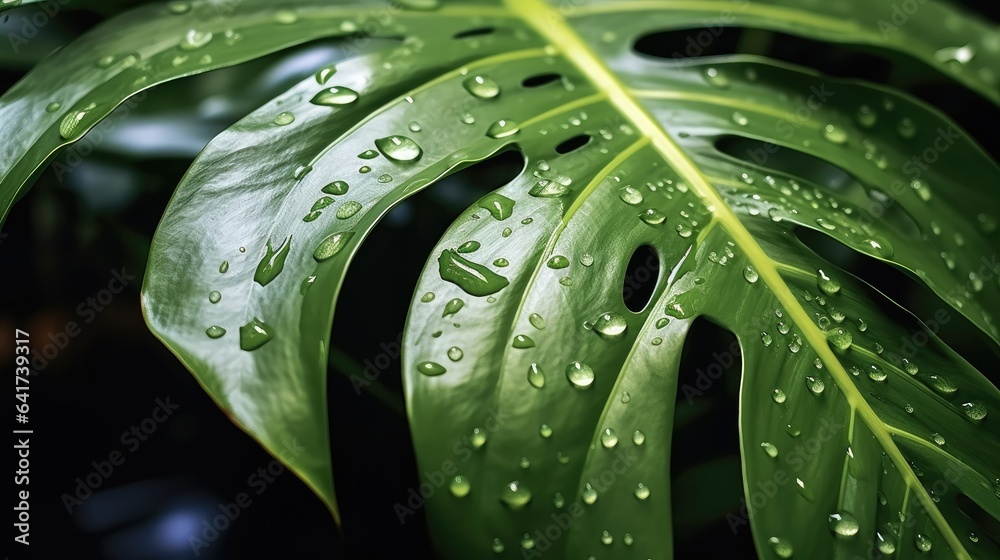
(540, 400)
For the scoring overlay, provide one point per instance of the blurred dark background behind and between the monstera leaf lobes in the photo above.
(62, 241)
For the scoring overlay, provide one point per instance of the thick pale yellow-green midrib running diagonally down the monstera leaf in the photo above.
(550, 24)
